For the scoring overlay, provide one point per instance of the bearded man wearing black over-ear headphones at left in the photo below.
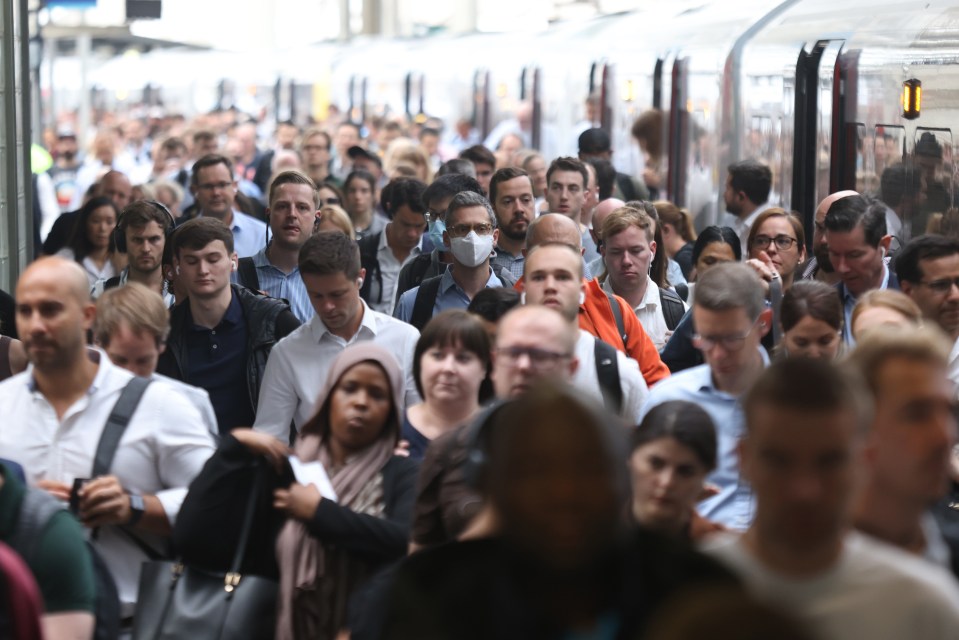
(141, 233)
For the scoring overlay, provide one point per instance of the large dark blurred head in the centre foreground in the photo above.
(554, 473)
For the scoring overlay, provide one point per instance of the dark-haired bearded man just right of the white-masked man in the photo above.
(511, 194)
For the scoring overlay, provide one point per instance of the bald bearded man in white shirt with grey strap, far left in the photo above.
(55, 414)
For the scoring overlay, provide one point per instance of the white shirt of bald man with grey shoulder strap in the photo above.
(163, 448)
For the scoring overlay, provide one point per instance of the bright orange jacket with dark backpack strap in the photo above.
(596, 317)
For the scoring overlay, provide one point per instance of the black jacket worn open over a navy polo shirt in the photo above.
(267, 321)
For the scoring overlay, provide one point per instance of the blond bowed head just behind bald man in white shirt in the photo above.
(132, 326)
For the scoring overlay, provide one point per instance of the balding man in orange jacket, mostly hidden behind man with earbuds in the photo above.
(596, 312)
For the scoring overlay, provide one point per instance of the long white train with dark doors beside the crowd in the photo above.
(826, 92)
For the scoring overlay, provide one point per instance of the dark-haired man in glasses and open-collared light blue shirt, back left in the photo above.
(214, 188)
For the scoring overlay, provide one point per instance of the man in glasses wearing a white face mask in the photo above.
(470, 234)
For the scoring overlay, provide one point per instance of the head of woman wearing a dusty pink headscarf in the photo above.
(361, 402)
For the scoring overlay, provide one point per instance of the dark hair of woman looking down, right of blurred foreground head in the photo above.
(686, 423)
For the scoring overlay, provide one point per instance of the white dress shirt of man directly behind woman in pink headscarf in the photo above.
(298, 365)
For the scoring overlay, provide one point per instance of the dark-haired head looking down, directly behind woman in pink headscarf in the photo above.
(329, 264)
